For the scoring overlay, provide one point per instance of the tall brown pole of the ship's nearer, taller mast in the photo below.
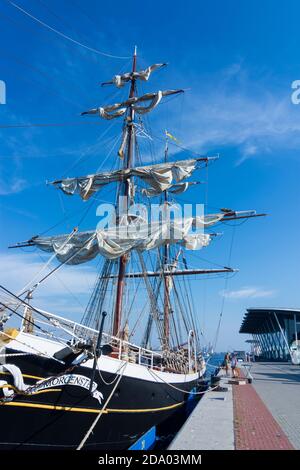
(127, 164)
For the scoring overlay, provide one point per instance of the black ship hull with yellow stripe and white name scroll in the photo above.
(59, 413)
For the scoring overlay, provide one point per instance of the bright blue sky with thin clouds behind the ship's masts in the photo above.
(236, 58)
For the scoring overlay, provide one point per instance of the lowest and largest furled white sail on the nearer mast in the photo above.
(119, 240)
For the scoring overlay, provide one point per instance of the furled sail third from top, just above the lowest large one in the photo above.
(159, 177)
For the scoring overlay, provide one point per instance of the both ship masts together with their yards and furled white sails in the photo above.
(159, 178)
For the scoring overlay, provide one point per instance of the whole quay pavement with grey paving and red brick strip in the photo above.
(263, 415)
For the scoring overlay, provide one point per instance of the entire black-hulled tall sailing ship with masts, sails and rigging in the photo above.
(87, 384)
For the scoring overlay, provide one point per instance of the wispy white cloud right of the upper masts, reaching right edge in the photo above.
(233, 109)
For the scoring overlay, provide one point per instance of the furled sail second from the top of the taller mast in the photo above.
(118, 109)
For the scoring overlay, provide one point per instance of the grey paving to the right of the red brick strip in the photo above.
(278, 385)
